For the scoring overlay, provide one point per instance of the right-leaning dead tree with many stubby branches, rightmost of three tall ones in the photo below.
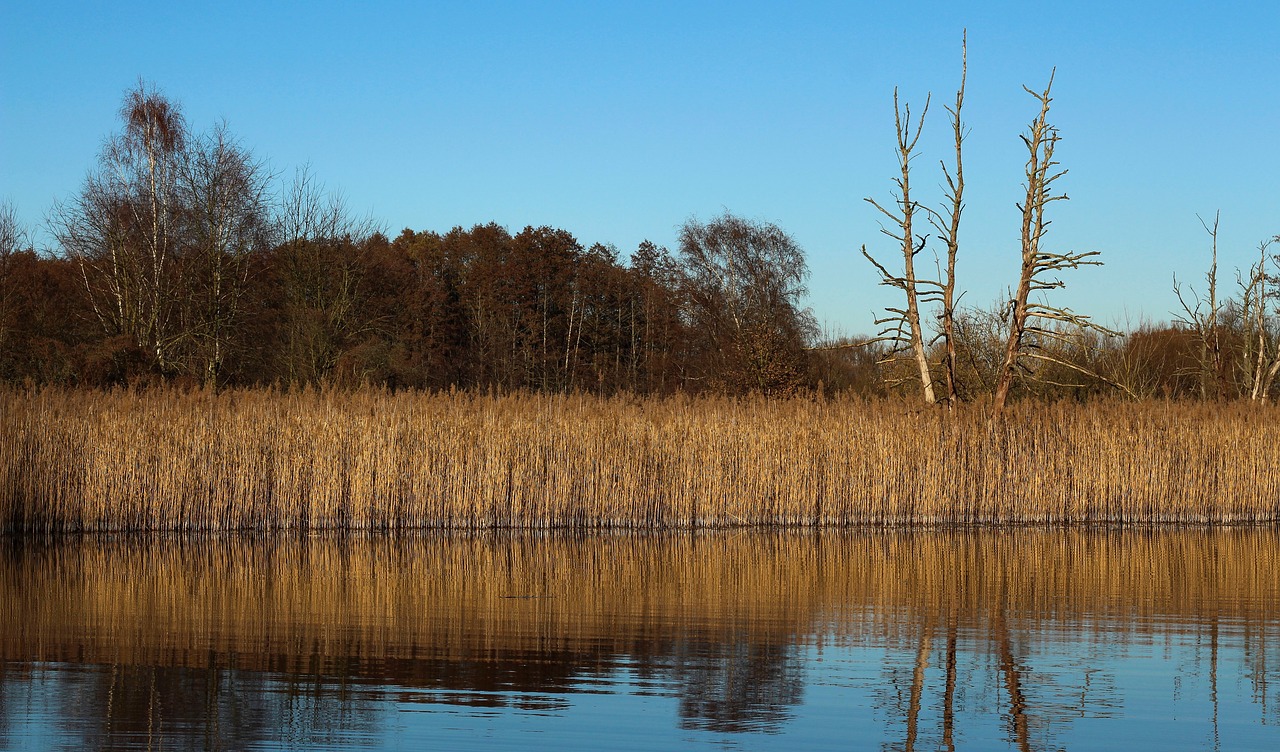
(1030, 323)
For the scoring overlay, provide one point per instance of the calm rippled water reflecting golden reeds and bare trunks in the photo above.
(993, 640)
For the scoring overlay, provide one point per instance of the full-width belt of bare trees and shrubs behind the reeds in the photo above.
(184, 259)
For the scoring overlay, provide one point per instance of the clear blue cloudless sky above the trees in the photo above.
(620, 121)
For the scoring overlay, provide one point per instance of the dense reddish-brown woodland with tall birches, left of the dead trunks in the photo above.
(180, 262)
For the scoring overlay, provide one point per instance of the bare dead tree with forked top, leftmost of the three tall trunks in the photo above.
(903, 327)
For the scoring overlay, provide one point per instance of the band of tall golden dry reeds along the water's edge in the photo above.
(313, 460)
